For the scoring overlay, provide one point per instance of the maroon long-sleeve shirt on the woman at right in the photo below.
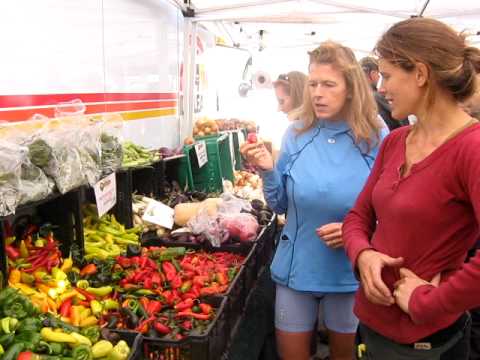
(430, 218)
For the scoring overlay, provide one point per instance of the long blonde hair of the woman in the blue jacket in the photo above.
(360, 107)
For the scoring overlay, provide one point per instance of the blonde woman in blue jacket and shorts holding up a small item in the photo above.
(323, 164)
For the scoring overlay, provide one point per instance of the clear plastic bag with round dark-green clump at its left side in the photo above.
(59, 158)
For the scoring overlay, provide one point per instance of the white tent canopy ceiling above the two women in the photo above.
(305, 23)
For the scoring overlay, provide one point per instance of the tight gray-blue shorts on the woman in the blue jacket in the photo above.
(297, 311)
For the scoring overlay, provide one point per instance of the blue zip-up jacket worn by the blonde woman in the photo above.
(317, 179)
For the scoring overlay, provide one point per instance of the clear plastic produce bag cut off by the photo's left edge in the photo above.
(10, 170)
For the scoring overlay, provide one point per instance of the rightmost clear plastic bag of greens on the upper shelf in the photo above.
(111, 143)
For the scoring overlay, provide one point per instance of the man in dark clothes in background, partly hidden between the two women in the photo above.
(370, 67)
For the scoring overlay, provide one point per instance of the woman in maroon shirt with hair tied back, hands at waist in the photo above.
(419, 212)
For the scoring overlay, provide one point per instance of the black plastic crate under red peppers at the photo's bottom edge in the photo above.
(208, 346)
